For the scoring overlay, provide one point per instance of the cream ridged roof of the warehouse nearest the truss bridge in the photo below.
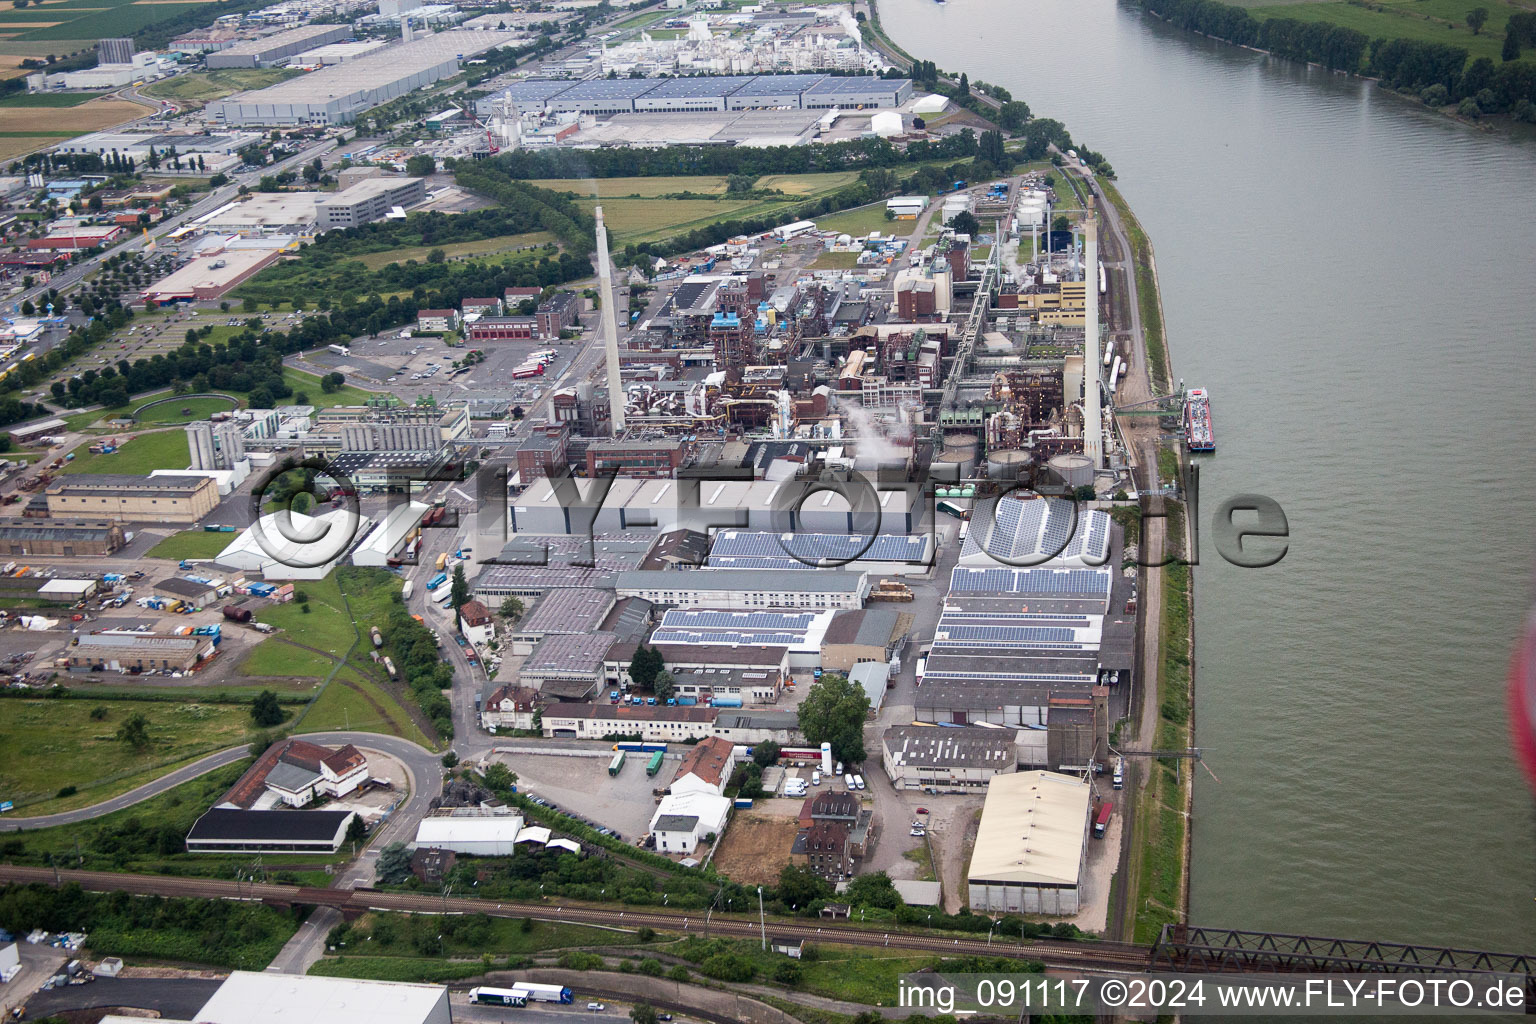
(1033, 830)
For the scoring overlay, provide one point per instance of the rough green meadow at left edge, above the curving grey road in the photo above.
(55, 744)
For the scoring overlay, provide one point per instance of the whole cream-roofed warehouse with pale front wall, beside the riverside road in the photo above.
(1031, 847)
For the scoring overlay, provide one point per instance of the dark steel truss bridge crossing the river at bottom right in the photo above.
(1188, 948)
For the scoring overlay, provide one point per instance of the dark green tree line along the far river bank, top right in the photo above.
(1437, 73)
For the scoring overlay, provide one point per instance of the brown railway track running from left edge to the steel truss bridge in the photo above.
(1122, 957)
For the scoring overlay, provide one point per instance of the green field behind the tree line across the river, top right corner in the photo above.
(1425, 21)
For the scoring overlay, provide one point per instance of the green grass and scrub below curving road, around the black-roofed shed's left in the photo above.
(128, 841)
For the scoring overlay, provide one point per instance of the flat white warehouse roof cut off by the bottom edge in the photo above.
(273, 999)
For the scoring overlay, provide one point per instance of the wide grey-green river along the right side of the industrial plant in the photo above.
(1352, 279)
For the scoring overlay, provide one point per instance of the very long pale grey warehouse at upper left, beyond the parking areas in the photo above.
(337, 94)
